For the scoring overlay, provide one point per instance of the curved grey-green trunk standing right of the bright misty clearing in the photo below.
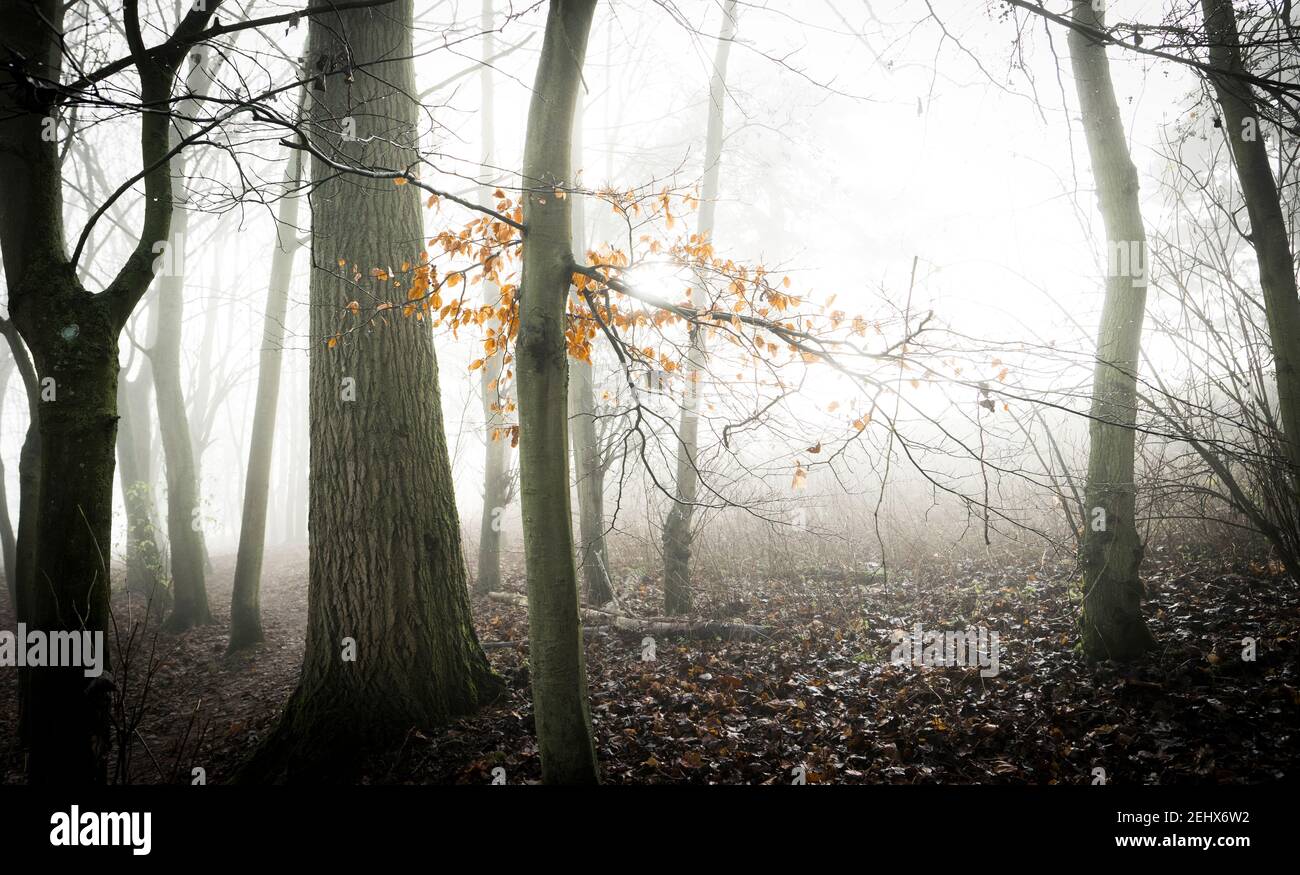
(1112, 621)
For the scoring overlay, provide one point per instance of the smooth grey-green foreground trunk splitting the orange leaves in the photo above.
(556, 651)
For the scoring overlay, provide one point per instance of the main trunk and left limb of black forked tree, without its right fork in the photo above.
(73, 341)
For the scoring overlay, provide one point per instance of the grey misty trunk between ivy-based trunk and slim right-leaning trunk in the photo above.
(184, 514)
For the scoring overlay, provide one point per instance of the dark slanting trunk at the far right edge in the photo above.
(1245, 131)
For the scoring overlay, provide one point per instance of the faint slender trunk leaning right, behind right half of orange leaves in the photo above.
(678, 591)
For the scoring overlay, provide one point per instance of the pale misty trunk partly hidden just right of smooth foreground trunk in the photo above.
(588, 465)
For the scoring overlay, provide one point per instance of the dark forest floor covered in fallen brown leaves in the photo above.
(820, 698)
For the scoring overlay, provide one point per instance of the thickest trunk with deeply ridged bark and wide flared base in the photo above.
(387, 569)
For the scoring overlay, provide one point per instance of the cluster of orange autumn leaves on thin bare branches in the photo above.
(488, 250)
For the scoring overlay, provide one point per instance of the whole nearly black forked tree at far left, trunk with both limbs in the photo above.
(72, 336)
